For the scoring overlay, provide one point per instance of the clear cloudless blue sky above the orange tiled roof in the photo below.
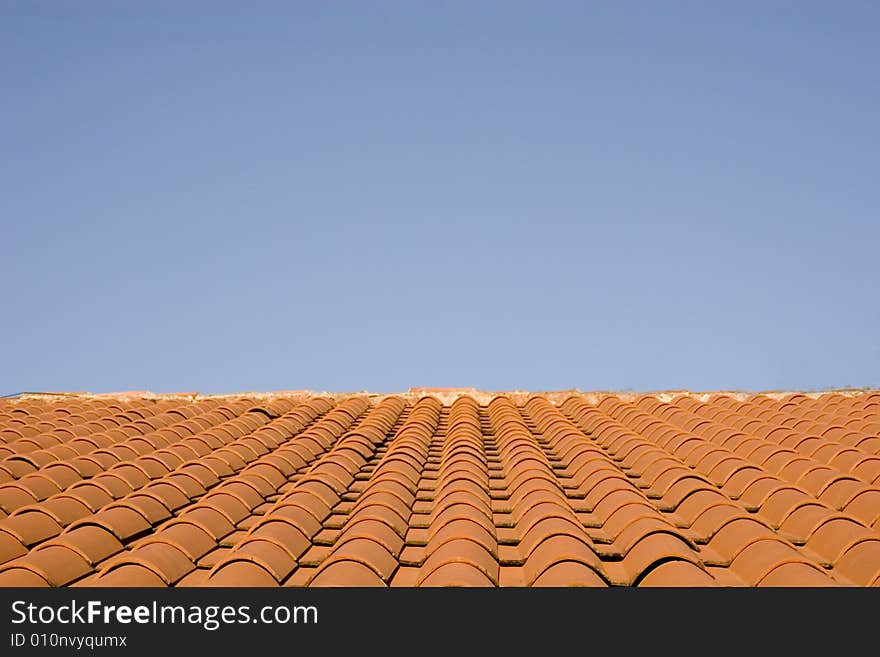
(348, 195)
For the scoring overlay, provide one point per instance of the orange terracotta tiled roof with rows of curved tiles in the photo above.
(441, 488)
